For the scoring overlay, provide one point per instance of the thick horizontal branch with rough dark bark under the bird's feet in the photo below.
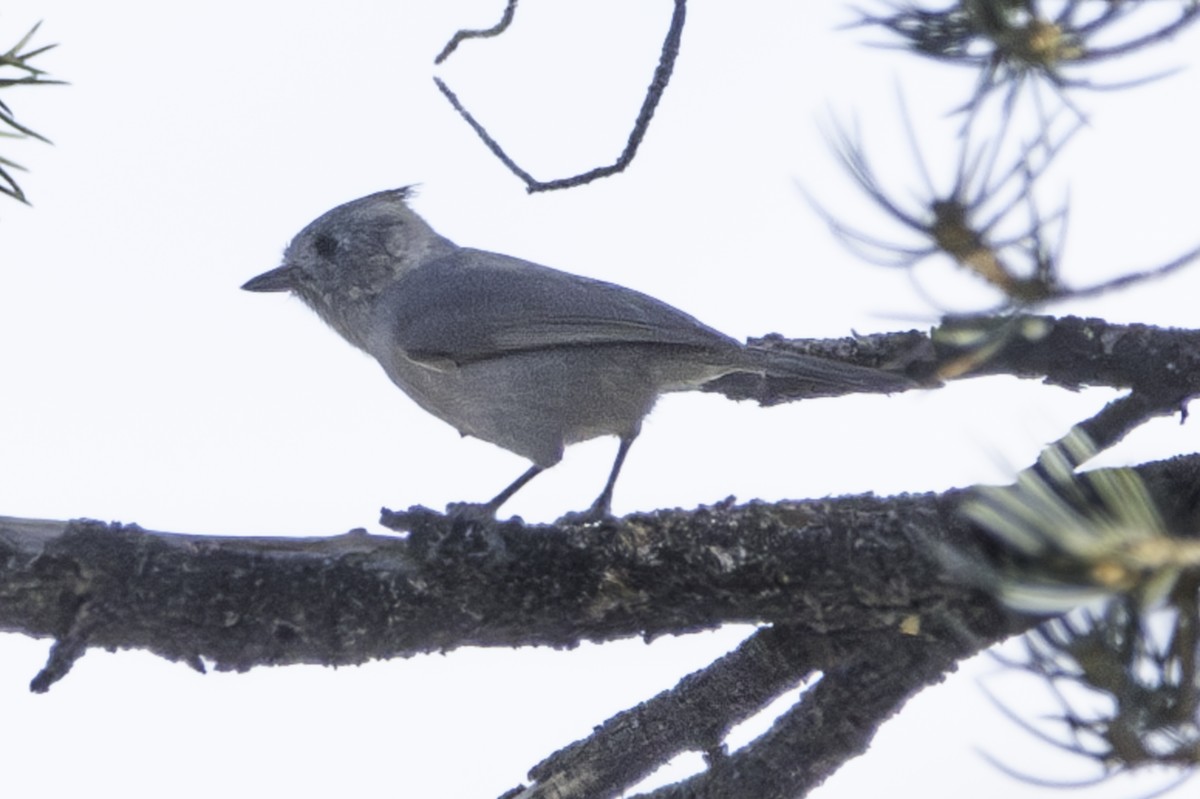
(243, 603)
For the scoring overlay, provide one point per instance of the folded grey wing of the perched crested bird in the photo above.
(475, 305)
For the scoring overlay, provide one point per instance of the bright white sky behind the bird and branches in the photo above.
(141, 386)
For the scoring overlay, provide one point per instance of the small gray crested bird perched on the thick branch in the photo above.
(525, 357)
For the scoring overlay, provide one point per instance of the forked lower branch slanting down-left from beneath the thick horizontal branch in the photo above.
(873, 675)
